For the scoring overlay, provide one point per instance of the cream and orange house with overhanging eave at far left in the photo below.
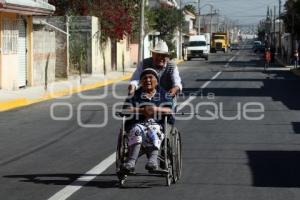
(16, 38)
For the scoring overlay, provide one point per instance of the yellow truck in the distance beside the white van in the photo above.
(219, 42)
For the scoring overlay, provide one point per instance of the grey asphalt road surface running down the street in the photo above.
(223, 158)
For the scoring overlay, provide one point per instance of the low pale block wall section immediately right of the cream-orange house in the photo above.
(44, 57)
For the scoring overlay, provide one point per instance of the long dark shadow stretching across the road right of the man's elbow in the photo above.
(281, 86)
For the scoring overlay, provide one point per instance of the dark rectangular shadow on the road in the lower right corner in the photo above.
(275, 168)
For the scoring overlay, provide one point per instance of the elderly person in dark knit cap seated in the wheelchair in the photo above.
(146, 132)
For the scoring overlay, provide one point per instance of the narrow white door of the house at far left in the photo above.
(22, 68)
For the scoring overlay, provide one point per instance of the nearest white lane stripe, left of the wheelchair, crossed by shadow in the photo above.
(67, 191)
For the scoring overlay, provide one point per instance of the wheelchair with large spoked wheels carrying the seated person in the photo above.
(170, 156)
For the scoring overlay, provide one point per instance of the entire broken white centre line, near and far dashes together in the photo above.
(67, 191)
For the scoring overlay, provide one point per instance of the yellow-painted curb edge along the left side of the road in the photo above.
(21, 102)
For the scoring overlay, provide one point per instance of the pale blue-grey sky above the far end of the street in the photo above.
(245, 11)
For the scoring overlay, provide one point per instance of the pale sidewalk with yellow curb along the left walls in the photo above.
(30, 95)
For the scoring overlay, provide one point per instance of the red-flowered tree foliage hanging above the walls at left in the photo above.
(117, 17)
